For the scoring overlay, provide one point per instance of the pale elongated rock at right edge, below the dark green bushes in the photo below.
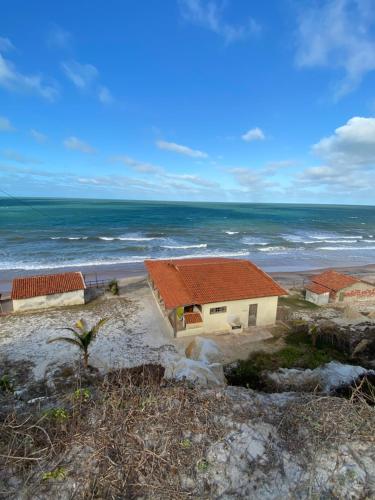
(327, 377)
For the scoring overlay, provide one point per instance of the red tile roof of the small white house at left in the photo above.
(36, 286)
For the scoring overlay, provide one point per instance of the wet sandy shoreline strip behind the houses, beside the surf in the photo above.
(289, 279)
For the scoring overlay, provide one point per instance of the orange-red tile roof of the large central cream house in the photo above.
(209, 280)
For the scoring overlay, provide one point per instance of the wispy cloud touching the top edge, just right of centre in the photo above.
(209, 15)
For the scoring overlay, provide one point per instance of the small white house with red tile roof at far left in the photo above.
(52, 290)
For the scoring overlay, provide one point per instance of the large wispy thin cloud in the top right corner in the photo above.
(338, 34)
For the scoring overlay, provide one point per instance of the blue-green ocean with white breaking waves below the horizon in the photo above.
(47, 234)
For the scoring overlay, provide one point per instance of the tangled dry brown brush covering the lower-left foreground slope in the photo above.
(134, 437)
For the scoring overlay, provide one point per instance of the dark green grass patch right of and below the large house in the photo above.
(298, 353)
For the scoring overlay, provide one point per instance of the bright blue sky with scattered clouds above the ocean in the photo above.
(191, 100)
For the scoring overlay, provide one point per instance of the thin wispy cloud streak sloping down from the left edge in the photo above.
(14, 81)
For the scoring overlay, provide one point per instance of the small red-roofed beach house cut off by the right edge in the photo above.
(331, 286)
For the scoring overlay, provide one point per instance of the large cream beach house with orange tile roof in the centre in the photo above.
(208, 295)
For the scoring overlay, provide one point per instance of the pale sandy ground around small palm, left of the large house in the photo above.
(134, 334)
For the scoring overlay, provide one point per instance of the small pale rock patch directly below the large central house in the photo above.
(196, 372)
